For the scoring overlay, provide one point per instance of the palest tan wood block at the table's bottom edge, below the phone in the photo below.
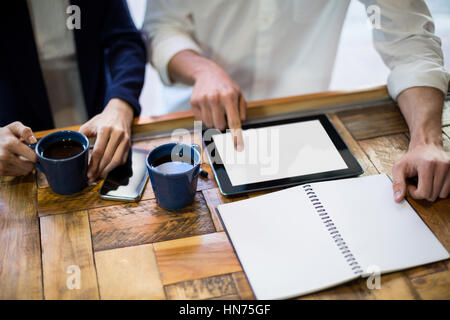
(129, 273)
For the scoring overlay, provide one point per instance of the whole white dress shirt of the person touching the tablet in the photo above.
(275, 48)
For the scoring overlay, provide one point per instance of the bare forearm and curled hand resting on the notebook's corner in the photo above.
(426, 158)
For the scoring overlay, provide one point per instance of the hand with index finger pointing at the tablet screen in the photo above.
(216, 99)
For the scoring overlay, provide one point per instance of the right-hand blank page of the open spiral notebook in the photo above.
(378, 231)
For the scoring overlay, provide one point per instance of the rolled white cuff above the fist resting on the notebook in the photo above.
(418, 74)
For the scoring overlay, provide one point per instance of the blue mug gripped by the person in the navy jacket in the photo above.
(65, 176)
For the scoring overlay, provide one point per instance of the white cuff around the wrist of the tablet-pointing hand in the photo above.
(166, 49)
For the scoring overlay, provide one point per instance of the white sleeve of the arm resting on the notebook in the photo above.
(404, 37)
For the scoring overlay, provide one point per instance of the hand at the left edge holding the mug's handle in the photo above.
(16, 158)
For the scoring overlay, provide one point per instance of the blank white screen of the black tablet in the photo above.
(277, 152)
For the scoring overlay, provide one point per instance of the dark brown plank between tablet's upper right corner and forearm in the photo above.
(374, 121)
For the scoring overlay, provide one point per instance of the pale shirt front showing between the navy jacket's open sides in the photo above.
(57, 57)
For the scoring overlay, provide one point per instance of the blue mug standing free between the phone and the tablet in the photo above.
(174, 190)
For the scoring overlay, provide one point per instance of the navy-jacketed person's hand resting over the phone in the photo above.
(112, 129)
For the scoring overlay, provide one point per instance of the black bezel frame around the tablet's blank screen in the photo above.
(224, 183)
